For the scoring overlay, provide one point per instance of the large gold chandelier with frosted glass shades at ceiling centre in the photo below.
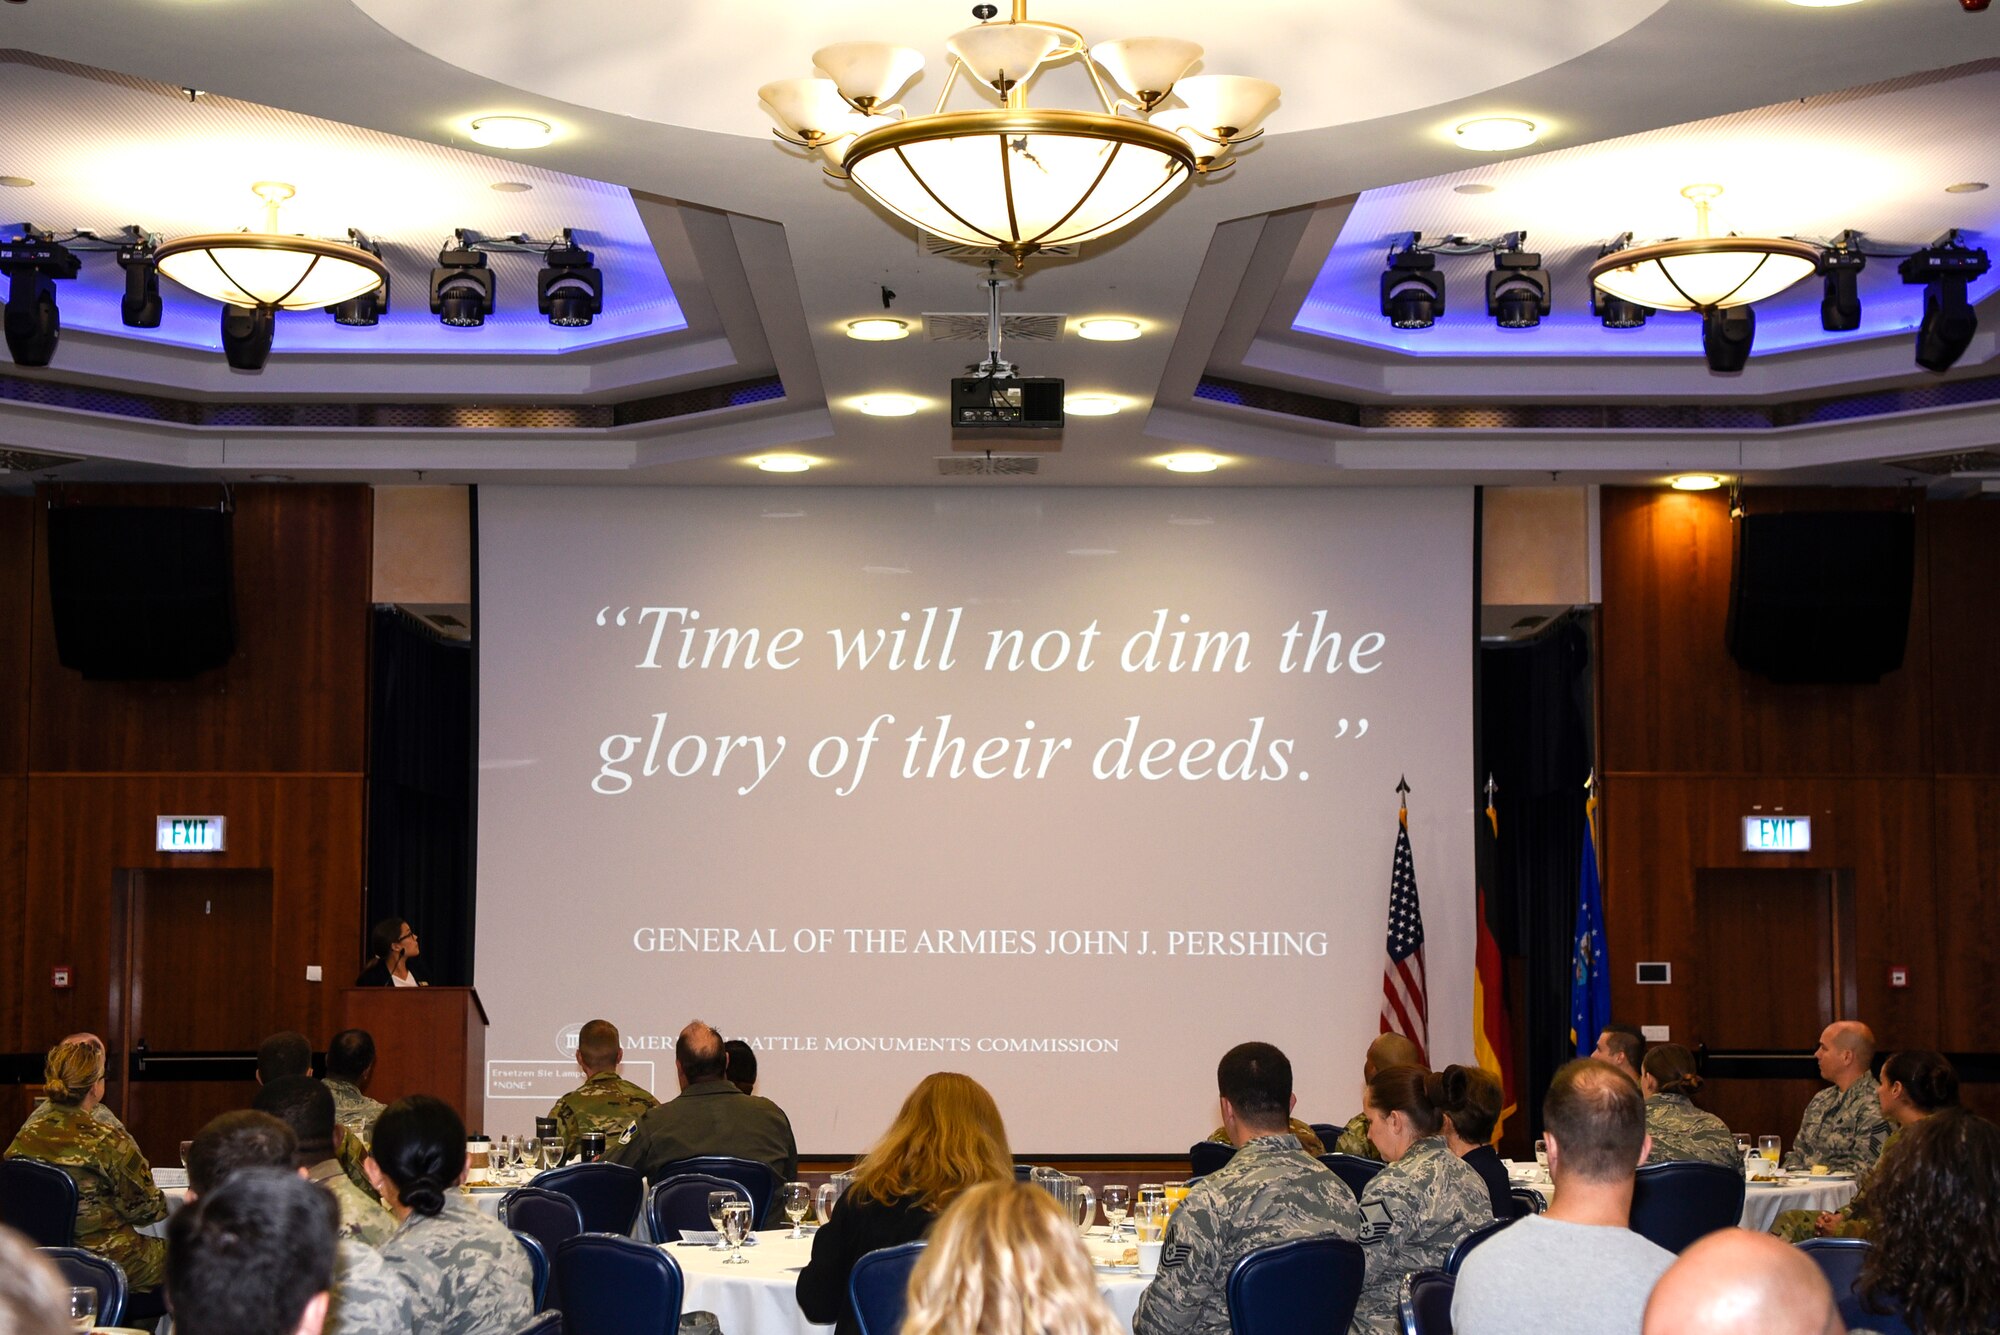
(1017, 177)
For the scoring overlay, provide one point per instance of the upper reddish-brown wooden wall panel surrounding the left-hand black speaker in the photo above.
(295, 694)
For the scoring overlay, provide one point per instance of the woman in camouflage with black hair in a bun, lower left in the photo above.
(469, 1274)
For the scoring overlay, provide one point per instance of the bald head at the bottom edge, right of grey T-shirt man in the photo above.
(1743, 1284)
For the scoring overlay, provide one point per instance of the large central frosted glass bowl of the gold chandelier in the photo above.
(1019, 181)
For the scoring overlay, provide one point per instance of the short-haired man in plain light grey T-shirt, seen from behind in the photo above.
(1579, 1270)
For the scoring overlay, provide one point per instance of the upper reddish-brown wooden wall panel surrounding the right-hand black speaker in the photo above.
(1675, 700)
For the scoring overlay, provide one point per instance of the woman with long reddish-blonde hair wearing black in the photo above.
(947, 1138)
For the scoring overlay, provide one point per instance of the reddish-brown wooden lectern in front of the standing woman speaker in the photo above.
(429, 1040)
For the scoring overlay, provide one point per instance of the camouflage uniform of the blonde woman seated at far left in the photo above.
(115, 1194)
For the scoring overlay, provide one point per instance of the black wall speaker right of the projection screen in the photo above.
(1823, 597)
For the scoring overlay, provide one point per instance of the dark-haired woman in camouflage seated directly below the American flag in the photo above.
(1423, 1200)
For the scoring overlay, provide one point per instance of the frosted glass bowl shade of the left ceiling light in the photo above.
(259, 269)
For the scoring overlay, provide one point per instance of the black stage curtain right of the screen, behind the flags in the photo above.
(1537, 742)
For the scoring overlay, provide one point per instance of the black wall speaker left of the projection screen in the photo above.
(141, 593)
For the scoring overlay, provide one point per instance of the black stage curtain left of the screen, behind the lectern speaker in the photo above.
(421, 792)
